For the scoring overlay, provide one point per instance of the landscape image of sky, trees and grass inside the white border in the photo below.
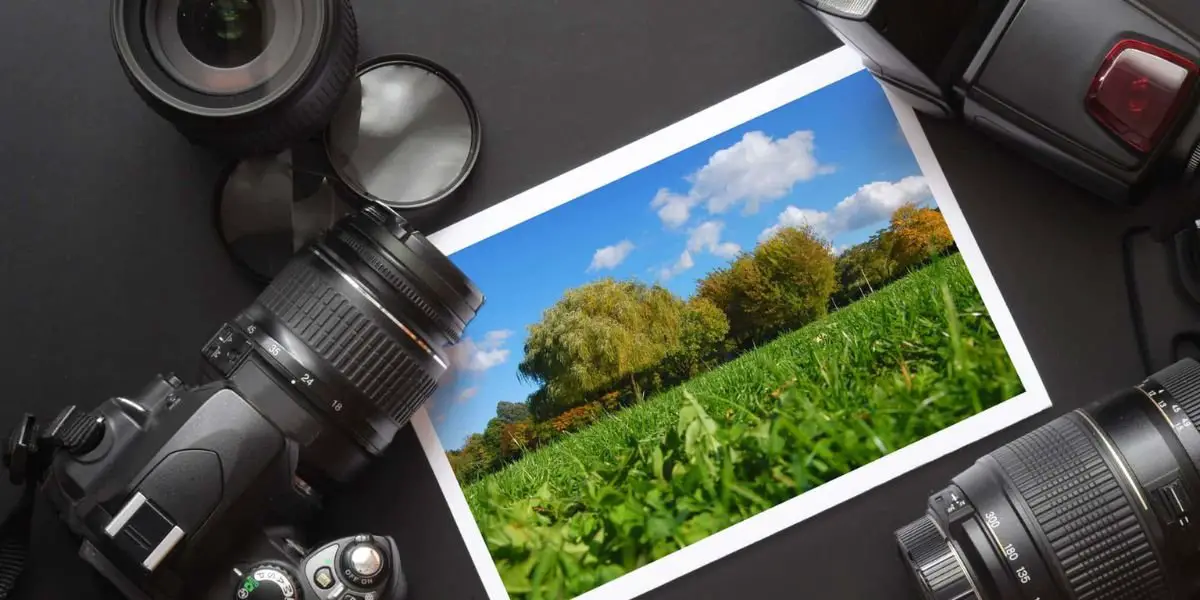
(707, 339)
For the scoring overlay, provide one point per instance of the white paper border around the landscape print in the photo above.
(665, 143)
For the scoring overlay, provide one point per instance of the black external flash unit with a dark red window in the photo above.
(1101, 92)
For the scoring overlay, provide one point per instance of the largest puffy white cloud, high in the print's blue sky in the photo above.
(757, 170)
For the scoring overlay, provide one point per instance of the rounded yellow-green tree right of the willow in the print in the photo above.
(783, 286)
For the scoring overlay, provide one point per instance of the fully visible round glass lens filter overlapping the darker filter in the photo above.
(406, 135)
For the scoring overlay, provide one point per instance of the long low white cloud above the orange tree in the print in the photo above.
(873, 203)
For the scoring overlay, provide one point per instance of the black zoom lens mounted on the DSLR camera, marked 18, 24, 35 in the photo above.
(350, 339)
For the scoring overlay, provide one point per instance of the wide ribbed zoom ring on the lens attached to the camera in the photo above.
(303, 299)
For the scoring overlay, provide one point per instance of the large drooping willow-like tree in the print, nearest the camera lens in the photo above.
(598, 334)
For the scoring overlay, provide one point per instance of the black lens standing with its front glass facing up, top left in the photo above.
(243, 77)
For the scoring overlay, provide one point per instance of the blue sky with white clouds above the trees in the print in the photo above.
(835, 160)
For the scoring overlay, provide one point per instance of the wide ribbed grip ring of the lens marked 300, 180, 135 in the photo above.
(1087, 518)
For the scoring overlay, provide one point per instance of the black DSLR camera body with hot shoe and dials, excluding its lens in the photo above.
(205, 464)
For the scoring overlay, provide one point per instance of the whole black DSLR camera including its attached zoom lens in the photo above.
(199, 491)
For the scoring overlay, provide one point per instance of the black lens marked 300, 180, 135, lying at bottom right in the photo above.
(1097, 505)
